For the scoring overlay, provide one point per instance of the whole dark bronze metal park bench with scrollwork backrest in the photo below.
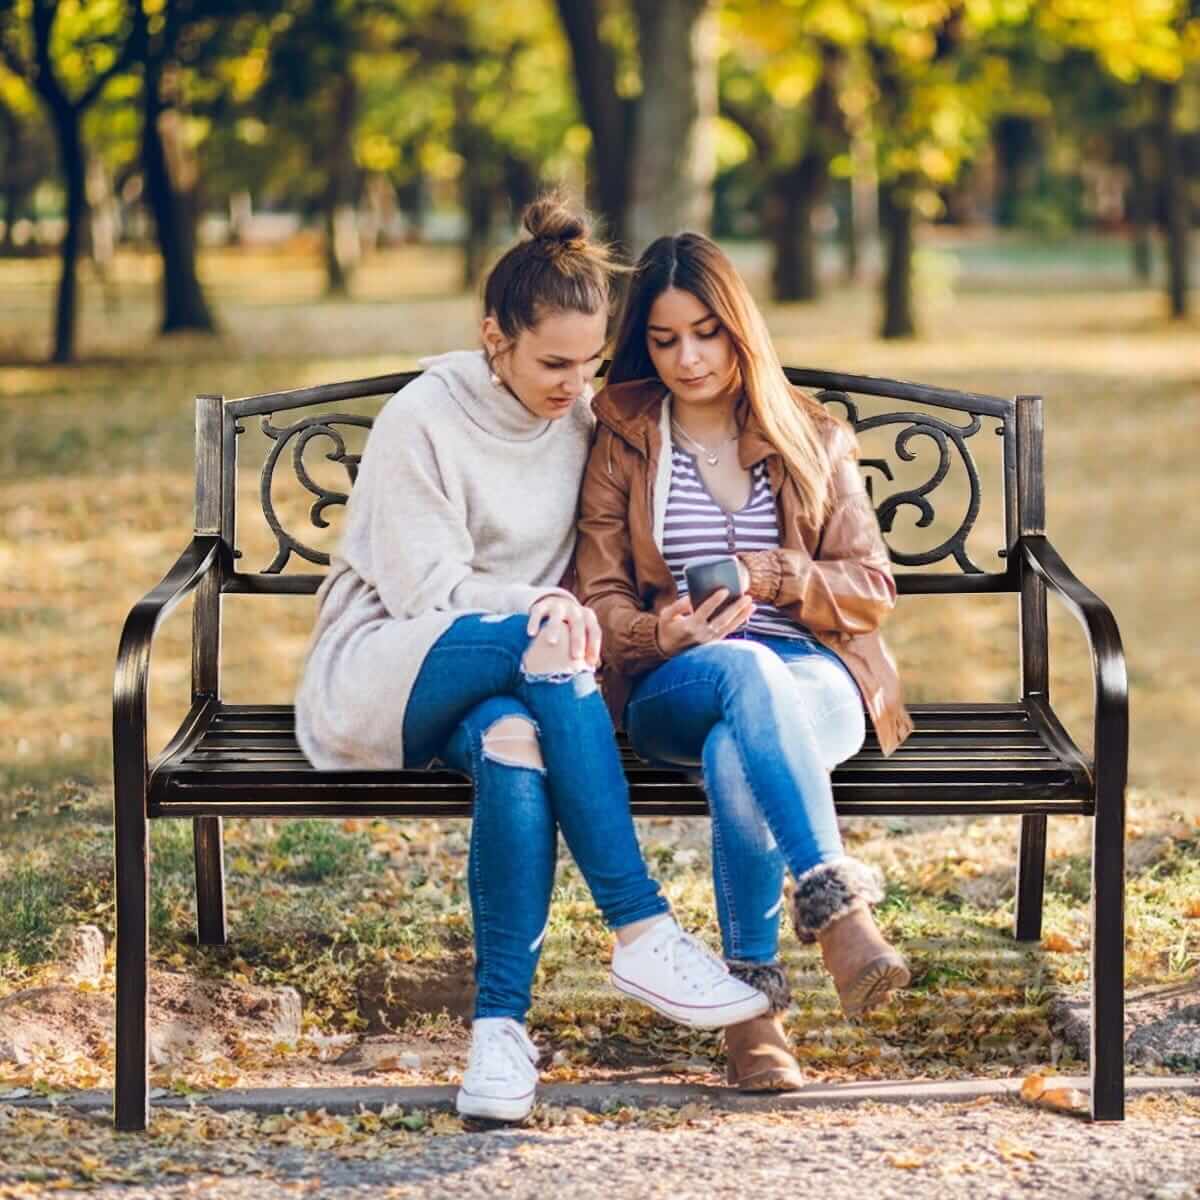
(965, 759)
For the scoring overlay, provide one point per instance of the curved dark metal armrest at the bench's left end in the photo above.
(133, 679)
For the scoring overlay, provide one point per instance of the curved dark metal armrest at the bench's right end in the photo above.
(1109, 676)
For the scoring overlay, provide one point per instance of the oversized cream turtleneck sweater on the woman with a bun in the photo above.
(465, 502)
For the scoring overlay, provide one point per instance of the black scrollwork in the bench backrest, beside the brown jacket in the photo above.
(950, 442)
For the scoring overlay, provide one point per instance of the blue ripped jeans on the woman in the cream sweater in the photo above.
(471, 680)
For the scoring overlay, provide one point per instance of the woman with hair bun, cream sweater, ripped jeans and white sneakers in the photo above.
(446, 632)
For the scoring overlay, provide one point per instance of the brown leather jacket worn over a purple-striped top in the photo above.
(837, 580)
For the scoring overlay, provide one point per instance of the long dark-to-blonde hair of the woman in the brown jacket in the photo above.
(697, 265)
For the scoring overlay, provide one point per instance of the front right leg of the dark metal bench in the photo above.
(1108, 955)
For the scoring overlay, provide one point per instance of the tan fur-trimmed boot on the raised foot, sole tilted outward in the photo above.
(831, 905)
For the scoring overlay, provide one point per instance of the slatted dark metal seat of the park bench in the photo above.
(961, 759)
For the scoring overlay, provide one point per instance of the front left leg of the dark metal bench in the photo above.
(131, 1101)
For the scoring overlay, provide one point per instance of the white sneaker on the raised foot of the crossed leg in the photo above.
(681, 977)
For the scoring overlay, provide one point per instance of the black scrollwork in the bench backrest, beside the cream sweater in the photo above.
(301, 436)
